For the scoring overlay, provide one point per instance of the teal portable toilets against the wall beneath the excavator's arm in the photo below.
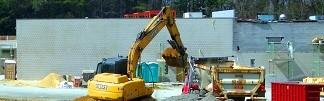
(150, 71)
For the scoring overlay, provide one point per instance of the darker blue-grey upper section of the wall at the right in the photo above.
(251, 37)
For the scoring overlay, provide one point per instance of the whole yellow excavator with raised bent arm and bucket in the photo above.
(115, 86)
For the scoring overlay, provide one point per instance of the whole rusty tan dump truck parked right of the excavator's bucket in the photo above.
(233, 81)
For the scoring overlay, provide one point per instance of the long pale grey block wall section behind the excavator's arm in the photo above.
(66, 46)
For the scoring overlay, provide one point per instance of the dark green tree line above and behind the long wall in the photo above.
(10, 10)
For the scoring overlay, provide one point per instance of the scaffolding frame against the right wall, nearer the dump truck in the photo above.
(279, 52)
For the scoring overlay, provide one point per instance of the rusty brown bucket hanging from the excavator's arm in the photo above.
(172, 57)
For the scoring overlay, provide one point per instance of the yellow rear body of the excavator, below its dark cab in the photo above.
(109, 86)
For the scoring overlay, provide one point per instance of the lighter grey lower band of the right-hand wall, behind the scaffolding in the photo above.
(301, 66)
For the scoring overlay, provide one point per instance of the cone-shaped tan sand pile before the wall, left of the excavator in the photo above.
(52, 80)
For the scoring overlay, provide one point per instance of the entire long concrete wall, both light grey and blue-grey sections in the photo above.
(66, 46)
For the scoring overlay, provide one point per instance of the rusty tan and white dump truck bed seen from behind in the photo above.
(238, 81)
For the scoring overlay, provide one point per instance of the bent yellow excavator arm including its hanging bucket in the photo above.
(175, 56)
